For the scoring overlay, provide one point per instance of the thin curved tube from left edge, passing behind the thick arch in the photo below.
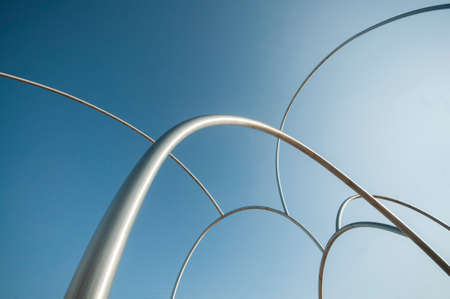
(127, 124)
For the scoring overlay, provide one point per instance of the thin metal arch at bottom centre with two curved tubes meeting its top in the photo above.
(242, 209)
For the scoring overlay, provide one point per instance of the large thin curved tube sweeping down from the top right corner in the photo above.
(283, 120)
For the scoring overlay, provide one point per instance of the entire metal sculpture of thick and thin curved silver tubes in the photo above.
(98, 266)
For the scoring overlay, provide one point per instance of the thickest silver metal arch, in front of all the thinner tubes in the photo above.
(95, 273)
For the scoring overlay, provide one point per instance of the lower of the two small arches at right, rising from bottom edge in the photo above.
(348, 227)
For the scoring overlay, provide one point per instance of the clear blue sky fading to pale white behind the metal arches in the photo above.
(379, 110)
